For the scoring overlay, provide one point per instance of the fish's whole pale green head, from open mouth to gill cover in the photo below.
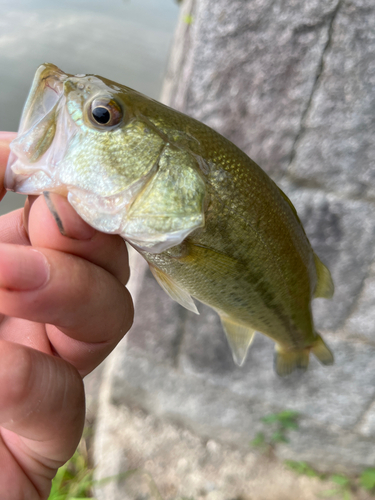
(108, 174)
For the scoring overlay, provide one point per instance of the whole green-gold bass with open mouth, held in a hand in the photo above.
(209, 221)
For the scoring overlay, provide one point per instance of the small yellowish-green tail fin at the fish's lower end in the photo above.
(287, 361)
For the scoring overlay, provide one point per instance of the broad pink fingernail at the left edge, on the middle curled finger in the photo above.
(22, 268)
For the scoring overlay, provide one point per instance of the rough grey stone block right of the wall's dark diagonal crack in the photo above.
(340, 117)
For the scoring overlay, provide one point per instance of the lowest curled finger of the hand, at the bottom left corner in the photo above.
(42, 411)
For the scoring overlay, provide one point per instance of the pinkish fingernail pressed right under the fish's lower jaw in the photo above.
(68, 221)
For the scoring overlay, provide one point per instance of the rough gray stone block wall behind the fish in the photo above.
(292, 83)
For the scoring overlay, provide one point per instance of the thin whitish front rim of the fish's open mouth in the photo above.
(46, 92)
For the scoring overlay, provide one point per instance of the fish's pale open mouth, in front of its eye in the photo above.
(34, 154)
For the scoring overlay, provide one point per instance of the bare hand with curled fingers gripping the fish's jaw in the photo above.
(63, 308)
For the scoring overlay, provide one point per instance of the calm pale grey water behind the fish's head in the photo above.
(127, 41)
